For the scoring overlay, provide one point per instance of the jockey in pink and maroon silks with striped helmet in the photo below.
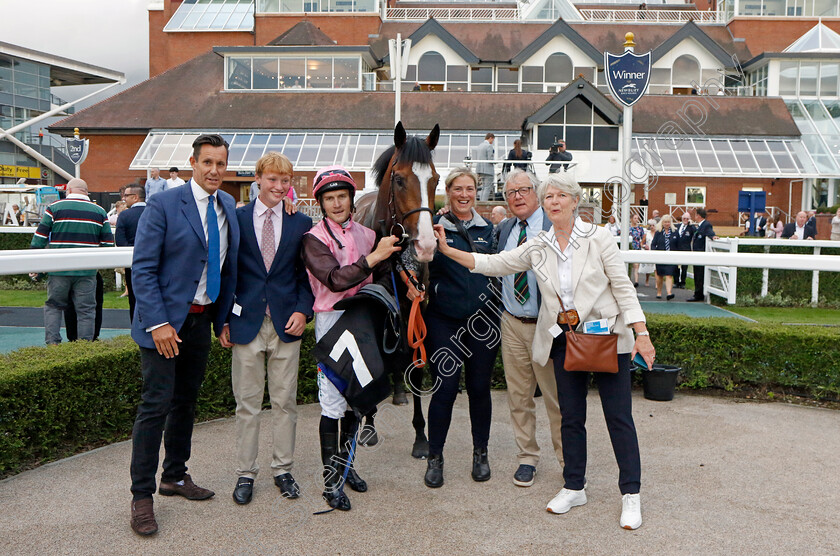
(340, 259)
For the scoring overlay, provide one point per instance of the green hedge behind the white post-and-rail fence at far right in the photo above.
(794, 284)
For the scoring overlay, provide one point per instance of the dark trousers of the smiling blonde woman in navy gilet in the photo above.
(451, 347)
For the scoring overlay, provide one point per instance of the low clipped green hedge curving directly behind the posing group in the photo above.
(59, 400)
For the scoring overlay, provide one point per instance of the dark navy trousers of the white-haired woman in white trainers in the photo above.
(614, 390)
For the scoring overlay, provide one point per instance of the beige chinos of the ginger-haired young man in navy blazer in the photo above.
(248, 374)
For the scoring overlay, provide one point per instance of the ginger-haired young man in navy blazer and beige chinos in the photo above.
(272, 304)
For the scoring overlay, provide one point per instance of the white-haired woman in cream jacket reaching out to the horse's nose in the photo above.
(581, 264)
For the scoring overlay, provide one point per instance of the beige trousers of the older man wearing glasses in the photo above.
(523, 374)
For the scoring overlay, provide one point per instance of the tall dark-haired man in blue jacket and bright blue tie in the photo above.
(184, 276)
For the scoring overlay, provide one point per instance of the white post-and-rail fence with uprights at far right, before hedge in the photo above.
(723, 280)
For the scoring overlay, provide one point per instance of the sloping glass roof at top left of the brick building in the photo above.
(213, 15)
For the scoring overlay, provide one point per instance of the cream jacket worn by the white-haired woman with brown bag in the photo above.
(602, 287)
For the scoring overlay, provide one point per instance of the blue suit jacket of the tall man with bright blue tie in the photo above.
(170, 253)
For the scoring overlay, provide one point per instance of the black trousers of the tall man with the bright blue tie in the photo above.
(167, 408)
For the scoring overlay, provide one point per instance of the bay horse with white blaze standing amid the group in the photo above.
(404, 206)
